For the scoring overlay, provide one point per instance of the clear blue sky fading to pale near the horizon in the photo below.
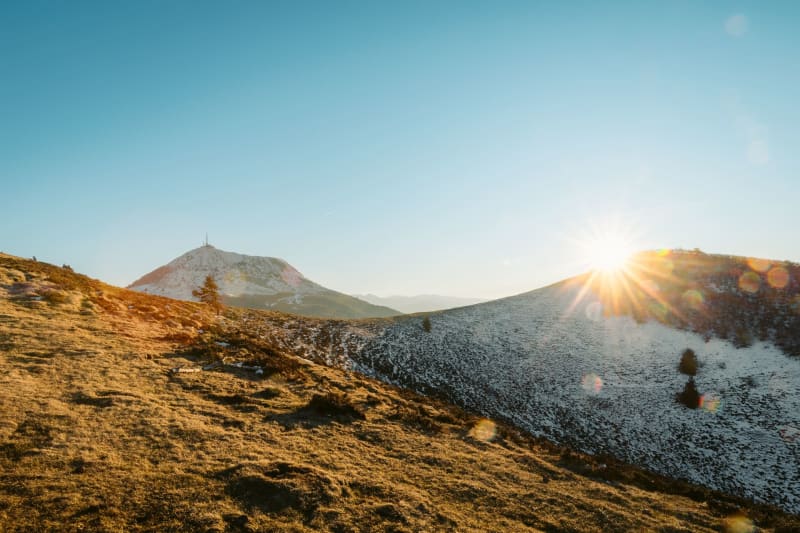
(397, 147)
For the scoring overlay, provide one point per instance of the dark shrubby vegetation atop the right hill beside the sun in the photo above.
(735, 298)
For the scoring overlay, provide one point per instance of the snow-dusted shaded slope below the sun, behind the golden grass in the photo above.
(607, 384)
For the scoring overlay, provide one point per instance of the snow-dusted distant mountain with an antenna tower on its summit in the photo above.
(254, 282)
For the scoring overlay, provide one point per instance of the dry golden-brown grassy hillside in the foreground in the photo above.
(97, 434)
